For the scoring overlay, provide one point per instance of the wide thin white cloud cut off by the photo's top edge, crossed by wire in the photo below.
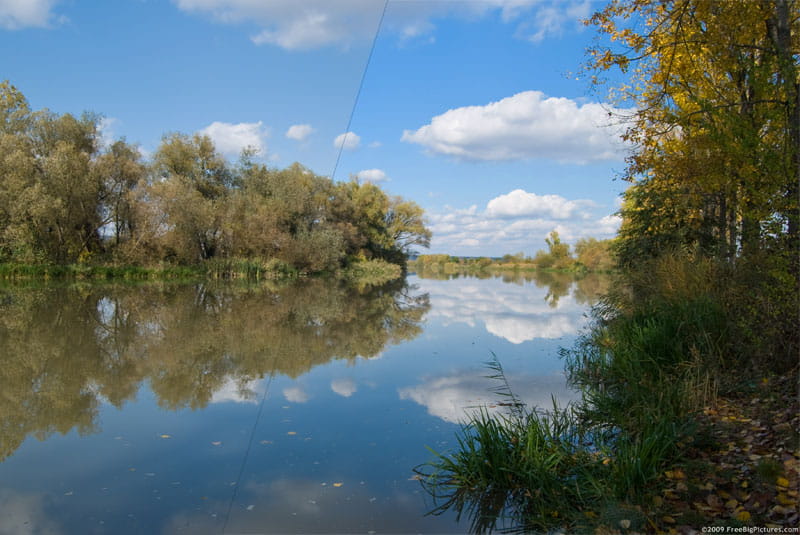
(313, 24)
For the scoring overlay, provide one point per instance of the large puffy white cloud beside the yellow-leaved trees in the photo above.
(523, 126)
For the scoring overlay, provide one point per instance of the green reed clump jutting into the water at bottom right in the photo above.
(520, 472)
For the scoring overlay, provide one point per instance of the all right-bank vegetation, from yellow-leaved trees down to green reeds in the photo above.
(689, 371)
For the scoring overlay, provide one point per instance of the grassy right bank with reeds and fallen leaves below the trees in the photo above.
(663, 354)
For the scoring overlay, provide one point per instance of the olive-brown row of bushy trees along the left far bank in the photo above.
(66, 198)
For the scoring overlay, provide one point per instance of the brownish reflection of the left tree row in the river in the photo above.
(66, 351)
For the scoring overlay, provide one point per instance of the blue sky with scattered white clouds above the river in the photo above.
(475, 110)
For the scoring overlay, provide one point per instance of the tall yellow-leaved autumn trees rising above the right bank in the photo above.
(715, 128)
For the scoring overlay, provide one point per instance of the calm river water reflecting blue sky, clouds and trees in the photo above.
(236, 409)
